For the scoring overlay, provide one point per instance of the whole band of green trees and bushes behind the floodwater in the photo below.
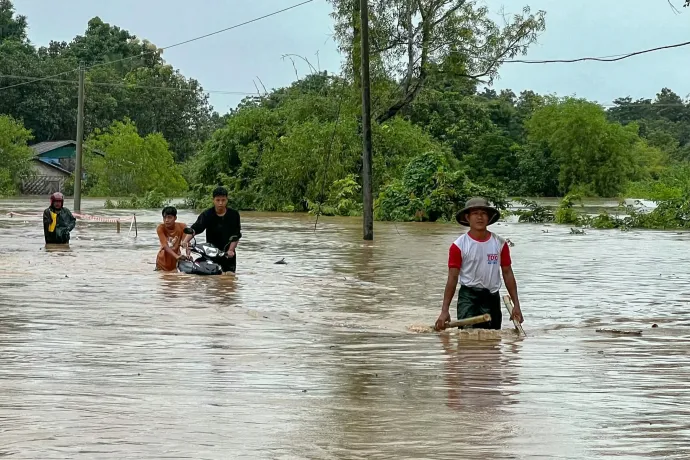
(440, 131)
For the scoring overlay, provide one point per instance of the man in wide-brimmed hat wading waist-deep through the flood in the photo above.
(474, 259)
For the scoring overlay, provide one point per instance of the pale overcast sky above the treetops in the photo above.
(231, 60)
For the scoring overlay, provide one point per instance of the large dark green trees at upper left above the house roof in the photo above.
(136, 84)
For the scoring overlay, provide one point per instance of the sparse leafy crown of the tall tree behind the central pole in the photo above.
(410, 37)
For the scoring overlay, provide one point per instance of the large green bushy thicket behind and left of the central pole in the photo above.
(283, 151)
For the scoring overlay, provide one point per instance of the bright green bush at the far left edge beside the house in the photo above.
(15, 156)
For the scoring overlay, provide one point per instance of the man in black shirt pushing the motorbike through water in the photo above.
(222, 226)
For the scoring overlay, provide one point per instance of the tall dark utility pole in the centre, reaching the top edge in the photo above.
(367, 195)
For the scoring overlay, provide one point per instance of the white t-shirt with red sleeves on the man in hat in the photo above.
(479, 262)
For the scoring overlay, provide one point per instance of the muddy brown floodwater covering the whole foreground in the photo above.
(103, 358)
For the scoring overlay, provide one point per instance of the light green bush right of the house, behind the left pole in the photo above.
(131, 165)
